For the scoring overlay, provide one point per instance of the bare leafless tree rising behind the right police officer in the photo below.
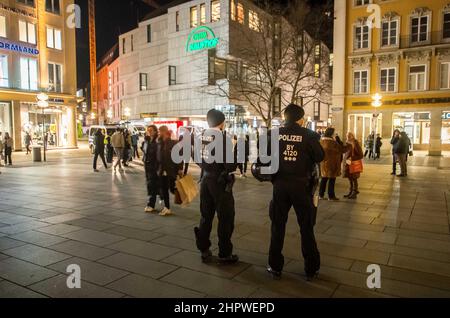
(278, 62)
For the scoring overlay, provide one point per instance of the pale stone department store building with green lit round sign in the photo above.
(170, 64)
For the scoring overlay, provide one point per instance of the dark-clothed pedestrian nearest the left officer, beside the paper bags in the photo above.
(167, 169)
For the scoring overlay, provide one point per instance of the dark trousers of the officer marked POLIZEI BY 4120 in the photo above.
(287, 193)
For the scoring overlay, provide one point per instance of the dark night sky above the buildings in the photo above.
(115, 17)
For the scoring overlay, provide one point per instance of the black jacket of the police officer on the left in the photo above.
(217, 169)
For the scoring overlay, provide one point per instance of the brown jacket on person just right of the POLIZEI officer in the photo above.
(331, 165)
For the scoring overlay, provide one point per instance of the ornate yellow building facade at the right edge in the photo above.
(400, 50)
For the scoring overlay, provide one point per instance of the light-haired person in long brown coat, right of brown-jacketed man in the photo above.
(354, 155)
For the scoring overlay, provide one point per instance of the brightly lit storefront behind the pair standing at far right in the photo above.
(416, 125)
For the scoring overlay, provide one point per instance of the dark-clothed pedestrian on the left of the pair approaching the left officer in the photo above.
(150, 159)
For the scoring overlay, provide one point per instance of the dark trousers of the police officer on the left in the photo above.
(214, 198)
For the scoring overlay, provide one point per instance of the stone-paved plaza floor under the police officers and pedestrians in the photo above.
(63, 213)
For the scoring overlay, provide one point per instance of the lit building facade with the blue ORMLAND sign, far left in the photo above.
(37, 54)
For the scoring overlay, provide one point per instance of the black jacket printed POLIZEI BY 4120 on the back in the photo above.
(299, 152)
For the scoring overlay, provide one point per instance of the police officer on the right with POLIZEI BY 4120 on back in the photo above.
(299, 153)
